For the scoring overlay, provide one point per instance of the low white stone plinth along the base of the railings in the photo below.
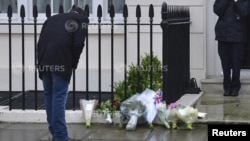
(32, 116)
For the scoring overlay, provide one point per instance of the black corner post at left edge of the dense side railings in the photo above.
(164, 26)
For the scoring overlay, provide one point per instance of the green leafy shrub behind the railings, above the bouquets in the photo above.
(144, 76)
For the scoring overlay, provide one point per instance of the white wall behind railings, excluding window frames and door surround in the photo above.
(197, 44)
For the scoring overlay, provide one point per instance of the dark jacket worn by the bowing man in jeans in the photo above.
(61, 43)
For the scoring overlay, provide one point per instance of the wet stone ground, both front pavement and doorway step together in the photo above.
(219, 109)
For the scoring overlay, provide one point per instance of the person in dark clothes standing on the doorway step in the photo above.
(231, 35)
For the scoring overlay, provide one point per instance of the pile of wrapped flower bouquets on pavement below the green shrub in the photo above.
(149, 104)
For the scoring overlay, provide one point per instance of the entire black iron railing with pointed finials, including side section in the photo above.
(175, 54)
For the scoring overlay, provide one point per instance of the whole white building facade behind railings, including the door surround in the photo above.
(204, 61)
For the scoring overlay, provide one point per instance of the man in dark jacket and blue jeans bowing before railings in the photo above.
(59, 48)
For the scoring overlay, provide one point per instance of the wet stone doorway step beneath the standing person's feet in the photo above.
(221, 109)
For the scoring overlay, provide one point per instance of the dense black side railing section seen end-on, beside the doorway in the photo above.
(176, 43)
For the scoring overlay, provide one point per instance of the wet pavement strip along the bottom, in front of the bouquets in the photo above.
(102, 132)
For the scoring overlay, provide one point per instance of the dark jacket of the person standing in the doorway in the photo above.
(231, 26)
